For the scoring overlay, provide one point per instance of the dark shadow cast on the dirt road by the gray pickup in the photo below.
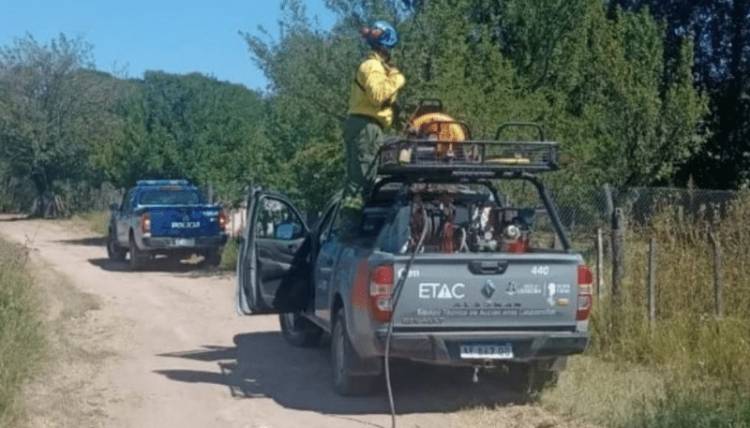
(262, 364)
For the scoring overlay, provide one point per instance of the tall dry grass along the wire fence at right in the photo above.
(691, 369)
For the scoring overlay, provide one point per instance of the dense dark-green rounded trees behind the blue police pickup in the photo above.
(194, 127)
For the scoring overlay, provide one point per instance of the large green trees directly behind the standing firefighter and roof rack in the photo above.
(597, 81)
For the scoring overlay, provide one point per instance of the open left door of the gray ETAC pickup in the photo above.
(269, 247)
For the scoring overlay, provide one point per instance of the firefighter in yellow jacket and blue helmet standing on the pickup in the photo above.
(373, 94)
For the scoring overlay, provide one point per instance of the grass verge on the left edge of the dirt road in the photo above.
(21, 332)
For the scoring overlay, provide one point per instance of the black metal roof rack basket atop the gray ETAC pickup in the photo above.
(417, 157)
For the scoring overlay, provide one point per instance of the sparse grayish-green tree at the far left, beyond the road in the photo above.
(54, 108)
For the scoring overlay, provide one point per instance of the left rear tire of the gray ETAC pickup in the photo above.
(343, 358)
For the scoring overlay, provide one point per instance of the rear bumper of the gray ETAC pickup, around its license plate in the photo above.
(444, 347)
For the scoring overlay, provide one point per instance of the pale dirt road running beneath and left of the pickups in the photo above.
(164, 348)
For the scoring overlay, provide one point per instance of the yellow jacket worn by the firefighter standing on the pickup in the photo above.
(374, 89)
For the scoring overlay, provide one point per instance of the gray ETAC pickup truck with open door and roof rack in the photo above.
(492, 283)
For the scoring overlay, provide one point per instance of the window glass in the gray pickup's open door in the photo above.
(276, 220)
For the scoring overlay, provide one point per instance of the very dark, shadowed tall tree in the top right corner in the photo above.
(720, 31)
